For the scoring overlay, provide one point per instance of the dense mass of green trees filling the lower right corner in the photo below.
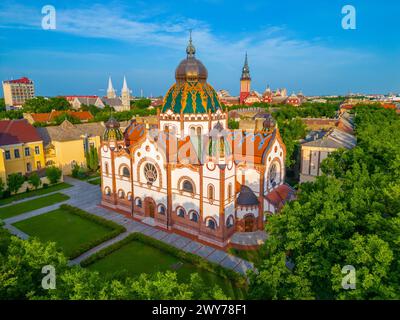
(348, 216)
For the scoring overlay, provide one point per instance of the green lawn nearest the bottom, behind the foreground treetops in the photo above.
(136, 257)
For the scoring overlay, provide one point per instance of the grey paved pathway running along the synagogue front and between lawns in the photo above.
(87, 197)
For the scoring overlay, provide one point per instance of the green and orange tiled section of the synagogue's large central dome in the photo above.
(191, 97)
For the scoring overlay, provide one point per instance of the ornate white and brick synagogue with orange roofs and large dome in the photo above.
(185, 180)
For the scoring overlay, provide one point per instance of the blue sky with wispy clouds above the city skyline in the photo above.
(299, 45)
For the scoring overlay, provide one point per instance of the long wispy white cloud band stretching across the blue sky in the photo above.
(272, 49)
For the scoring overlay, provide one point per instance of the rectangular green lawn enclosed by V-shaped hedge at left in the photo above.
(68, 230)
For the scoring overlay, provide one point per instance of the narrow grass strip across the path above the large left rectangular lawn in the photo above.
(30, 205)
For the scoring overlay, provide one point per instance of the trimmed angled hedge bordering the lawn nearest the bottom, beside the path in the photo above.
(180, 254)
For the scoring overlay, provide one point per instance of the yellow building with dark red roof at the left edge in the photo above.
(21, 148)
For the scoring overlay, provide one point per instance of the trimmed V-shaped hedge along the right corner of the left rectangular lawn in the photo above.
(116, 229)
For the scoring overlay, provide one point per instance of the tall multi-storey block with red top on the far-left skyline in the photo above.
(16, 92)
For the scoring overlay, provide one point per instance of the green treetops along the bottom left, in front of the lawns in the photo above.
(21, 263)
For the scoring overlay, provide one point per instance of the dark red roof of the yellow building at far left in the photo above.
(17, 131)
